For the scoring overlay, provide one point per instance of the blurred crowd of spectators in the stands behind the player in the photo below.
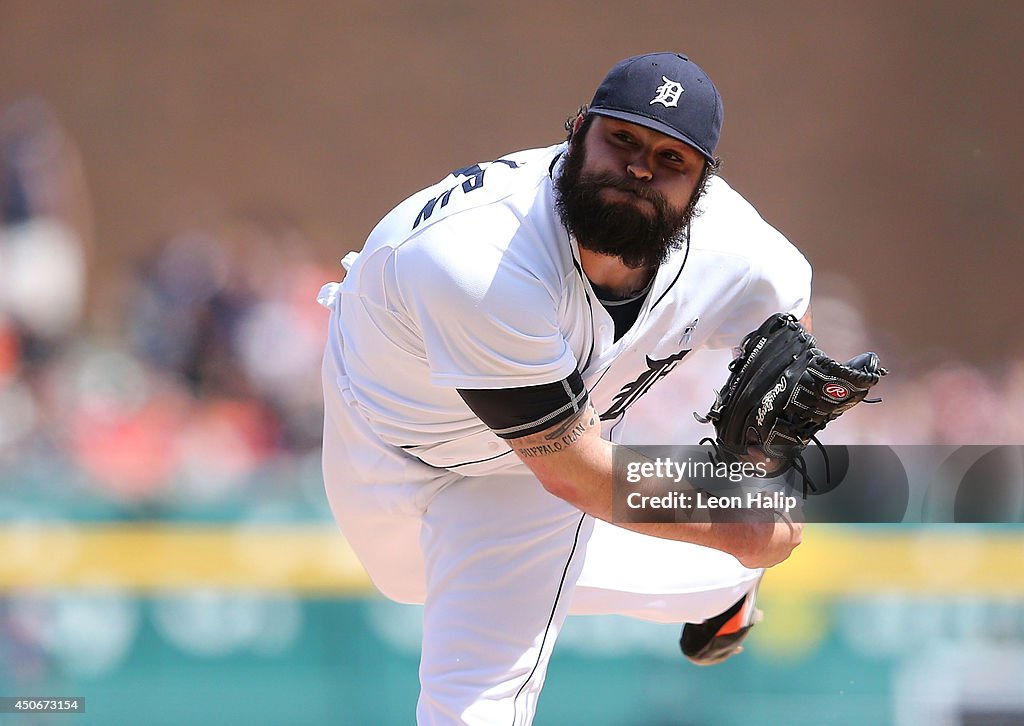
(201, 388)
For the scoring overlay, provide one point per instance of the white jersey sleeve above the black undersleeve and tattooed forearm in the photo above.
(487, 321)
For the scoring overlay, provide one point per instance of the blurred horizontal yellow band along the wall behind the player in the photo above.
(316, 561)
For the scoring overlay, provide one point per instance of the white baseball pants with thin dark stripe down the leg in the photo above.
(498, 564)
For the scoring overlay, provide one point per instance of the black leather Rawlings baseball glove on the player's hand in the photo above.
(783, 391)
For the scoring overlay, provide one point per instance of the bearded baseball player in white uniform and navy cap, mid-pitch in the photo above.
(487, 348)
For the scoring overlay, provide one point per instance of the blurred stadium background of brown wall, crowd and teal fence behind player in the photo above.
(179, 179)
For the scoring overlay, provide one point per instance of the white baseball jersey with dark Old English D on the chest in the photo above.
(475, 283)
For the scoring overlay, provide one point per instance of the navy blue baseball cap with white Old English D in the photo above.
(667, 93)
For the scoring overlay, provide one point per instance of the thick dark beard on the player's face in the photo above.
(619, 229)
